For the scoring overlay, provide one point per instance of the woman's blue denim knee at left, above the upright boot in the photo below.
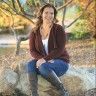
(31, 66)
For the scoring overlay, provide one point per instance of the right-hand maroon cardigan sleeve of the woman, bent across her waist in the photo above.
(60, 42)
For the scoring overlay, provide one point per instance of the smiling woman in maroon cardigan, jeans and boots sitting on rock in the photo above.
(47, 47)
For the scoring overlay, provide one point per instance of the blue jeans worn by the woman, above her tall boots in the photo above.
(58, 66)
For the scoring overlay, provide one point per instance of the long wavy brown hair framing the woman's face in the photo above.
(39, 17)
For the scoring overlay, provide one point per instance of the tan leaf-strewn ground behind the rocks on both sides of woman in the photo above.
(82, 53)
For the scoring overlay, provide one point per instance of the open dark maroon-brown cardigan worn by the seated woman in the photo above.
(56, 44)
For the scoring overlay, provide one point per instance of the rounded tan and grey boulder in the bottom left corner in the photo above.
(8, 80)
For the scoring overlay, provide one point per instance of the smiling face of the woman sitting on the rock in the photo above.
(48, 15)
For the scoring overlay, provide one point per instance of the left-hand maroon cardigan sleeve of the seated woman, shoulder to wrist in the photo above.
(34, 53)
